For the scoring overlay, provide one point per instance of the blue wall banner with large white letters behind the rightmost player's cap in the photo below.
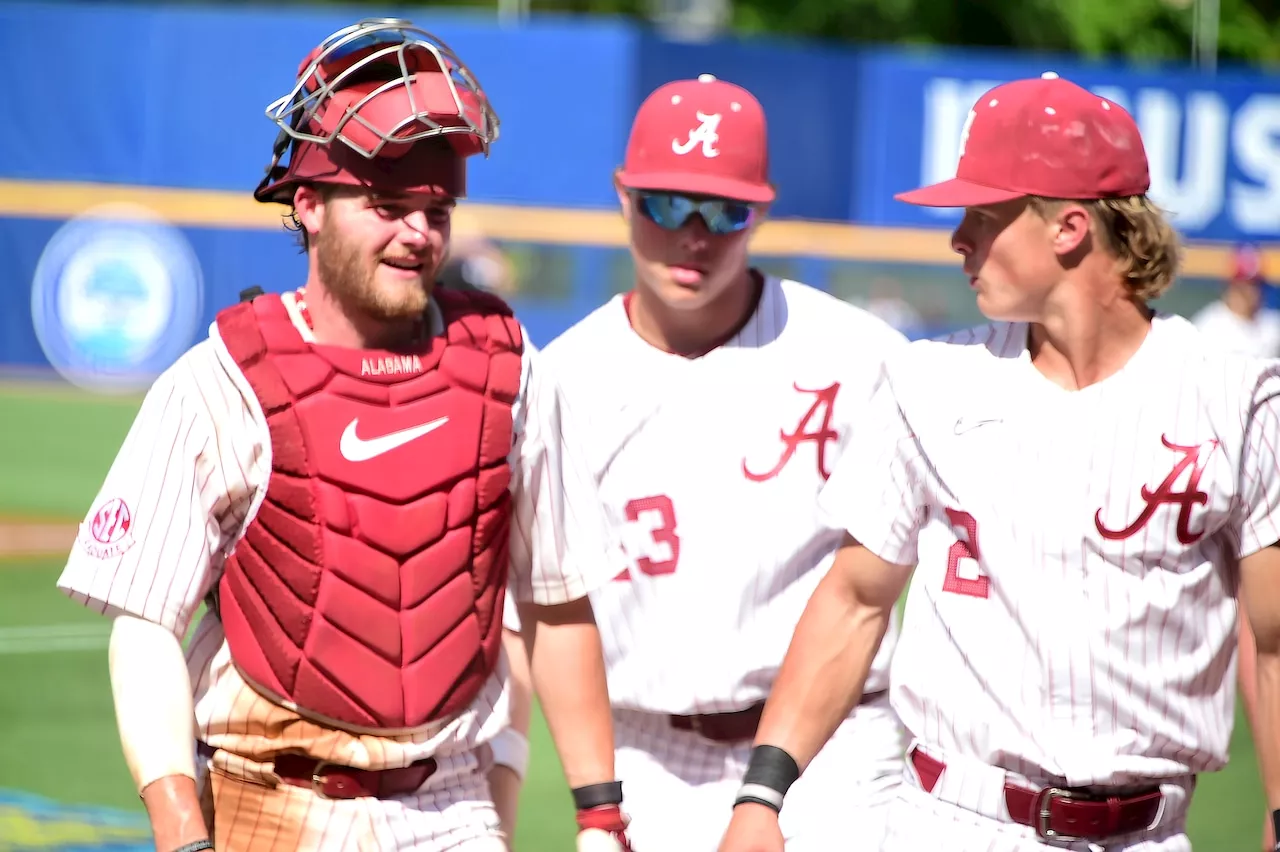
(1214, 143)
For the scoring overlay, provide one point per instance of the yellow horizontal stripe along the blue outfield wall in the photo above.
(554, 226)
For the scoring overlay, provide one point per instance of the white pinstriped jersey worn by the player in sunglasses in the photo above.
(710, 471)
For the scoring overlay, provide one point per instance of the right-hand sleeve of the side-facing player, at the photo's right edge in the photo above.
(1260, 465)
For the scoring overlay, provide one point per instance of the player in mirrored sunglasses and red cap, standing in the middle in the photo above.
(715, 401)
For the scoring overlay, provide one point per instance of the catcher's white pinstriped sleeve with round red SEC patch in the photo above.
(147, 544)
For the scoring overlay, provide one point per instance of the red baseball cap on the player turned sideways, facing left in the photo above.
(1043, 138)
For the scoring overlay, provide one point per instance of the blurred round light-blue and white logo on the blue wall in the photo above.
(117, 299)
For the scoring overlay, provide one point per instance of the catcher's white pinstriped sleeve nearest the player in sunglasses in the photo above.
(560, 546)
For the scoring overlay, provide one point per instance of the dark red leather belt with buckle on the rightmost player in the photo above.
(1063, 814)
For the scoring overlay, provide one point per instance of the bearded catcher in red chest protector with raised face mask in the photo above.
(348, 475)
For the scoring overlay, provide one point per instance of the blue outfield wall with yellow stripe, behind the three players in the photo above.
(173, 99)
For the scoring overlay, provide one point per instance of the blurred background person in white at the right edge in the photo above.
(1240, 319)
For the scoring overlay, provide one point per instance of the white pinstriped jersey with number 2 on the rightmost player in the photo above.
(1072, 612)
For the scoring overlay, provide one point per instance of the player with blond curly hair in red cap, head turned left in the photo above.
(1078, 485)
